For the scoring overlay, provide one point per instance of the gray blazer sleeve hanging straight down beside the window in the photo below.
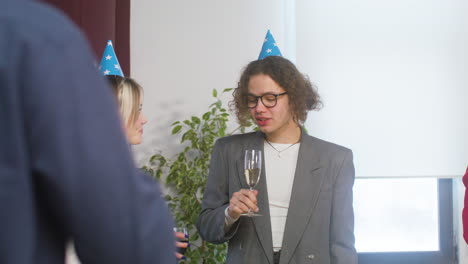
(342, 225)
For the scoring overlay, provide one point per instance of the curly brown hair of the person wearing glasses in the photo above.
(303, 95)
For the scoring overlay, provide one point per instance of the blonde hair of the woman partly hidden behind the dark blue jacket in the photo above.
(129, 95)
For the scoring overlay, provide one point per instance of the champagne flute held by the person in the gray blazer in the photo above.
(252, 170)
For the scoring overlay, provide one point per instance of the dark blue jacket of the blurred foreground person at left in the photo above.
(66, 171)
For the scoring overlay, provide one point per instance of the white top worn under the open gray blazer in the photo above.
(280, 166)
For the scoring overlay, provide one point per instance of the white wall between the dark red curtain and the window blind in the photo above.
(181, 50)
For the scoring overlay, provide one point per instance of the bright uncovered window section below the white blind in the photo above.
(407, 220)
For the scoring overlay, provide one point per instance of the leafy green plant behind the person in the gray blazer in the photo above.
(185, 175)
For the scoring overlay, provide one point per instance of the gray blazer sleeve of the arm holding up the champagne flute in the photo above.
(216, 198)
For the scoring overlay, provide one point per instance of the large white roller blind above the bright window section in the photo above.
(393, 76)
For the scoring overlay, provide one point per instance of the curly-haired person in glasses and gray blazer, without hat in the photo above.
(304, 194)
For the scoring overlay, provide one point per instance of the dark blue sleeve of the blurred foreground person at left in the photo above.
(85, 176)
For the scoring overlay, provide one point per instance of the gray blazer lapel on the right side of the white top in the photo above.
(304, 195)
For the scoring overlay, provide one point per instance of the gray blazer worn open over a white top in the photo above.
(320, 224)
